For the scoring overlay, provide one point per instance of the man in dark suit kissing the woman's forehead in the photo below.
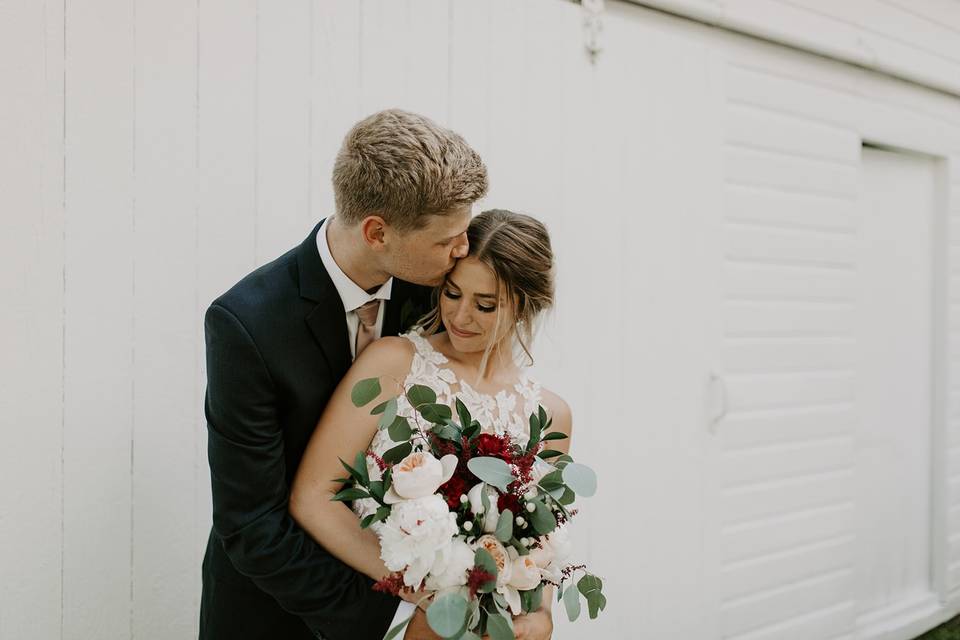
(278, 343)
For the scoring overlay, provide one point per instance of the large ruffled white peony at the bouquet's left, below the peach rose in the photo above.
(415, 534)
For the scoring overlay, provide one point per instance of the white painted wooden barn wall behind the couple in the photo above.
(703, 190)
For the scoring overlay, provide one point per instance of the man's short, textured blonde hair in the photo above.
(404, 167)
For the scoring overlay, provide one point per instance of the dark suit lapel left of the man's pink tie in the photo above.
(327, 319)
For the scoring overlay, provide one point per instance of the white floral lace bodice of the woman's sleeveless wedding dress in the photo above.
(506, 412)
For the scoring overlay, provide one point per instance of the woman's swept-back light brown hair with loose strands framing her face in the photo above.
(517, 248)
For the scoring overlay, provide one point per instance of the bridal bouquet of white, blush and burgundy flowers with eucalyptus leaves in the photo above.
(476, 518)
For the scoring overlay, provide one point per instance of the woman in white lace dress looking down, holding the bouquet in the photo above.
(488, 304)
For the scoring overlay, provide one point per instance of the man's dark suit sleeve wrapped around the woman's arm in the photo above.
(250, 496)
